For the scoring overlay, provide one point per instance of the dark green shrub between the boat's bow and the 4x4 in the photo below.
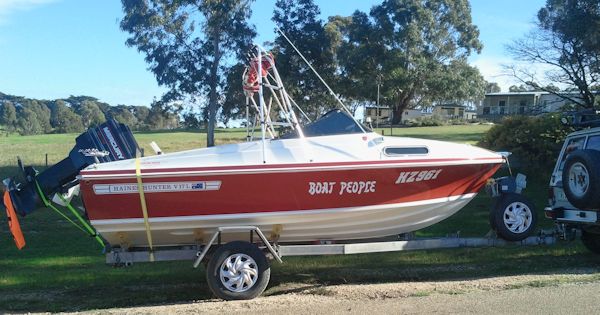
(534, 141)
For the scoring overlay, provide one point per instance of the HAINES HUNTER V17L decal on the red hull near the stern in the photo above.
(131, 188)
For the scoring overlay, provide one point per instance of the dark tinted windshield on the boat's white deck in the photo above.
(335, 122)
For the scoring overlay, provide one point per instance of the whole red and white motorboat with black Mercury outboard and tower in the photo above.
(332, 179)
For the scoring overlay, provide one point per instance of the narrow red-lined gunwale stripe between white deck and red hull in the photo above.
(299, 166)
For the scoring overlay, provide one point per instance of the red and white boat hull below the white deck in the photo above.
(294, 203)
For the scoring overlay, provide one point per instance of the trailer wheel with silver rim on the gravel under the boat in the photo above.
(238, 271)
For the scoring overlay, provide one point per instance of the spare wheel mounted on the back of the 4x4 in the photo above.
(581, 179)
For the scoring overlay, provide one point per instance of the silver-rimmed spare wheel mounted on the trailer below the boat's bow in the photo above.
(514, 217)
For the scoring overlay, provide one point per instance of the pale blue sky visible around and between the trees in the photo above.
(56, 48)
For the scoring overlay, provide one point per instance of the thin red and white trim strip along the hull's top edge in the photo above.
(303, 167)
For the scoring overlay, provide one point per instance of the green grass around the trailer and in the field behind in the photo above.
(63, 270)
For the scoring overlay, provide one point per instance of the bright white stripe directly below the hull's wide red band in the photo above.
(99, 223)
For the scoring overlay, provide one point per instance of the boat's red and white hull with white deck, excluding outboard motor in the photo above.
(337, 187)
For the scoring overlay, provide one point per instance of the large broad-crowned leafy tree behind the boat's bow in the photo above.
(408, 46)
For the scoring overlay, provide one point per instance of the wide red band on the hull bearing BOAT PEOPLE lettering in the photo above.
(171, 195)
